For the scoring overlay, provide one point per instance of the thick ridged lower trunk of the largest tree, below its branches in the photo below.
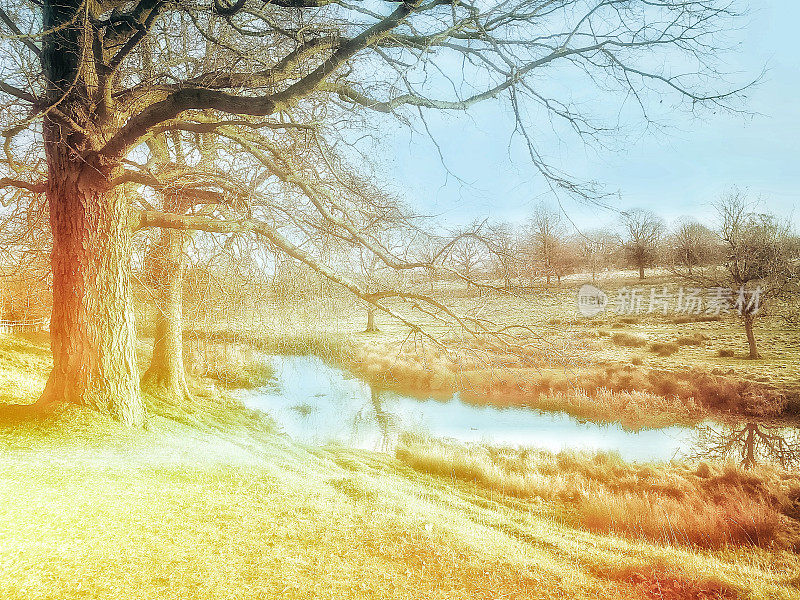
(92, 324)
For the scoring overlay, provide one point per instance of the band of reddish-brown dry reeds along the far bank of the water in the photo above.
(627, 393)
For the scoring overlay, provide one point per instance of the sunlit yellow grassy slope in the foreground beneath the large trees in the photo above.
(213, 505)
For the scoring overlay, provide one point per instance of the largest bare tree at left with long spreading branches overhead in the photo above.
(85, 85)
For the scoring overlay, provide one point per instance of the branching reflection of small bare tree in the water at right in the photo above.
(749, 442)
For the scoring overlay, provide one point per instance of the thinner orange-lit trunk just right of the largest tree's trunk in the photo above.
(166, 374)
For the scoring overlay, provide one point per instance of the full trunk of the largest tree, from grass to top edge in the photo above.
(92, 324)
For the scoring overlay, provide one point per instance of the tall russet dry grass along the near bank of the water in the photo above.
(714, 506)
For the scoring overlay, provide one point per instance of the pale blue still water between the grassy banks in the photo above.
(316, 403)
